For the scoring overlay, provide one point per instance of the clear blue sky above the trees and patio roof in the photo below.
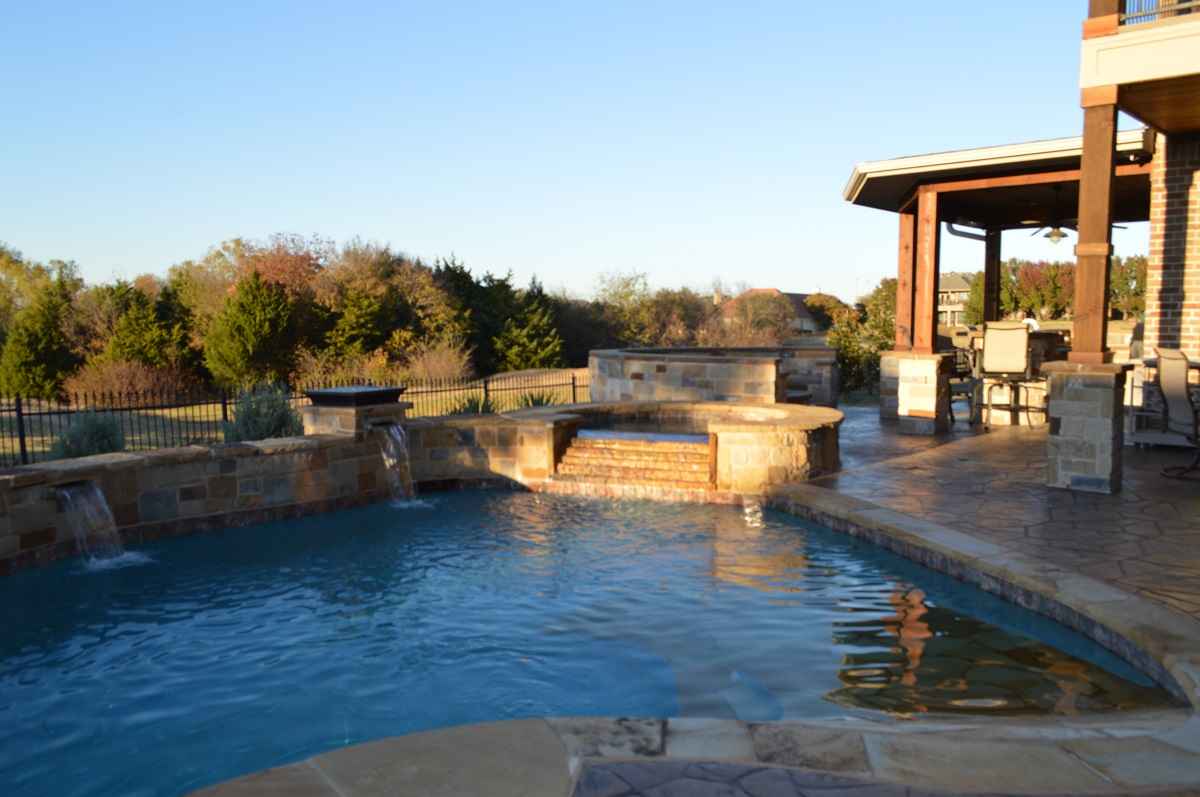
(687, 141)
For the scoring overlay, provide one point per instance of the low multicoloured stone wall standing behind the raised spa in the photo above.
(763, 376)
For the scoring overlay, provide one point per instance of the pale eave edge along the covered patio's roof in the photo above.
(985, 161)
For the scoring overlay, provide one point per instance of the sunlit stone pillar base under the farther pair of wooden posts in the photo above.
(915, 389)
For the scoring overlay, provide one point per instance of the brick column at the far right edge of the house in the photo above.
(1173, 275)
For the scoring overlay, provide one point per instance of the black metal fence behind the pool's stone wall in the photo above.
(152, 421)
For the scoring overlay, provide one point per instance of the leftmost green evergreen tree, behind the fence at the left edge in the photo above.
(38, 355)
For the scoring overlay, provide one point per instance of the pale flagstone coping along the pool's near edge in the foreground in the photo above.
(1155, 753)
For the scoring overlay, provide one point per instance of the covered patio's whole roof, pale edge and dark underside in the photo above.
(1033, 184)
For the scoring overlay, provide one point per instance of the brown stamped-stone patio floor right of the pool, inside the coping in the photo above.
(1145, 540)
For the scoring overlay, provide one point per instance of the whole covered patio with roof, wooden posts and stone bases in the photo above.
(981, 194)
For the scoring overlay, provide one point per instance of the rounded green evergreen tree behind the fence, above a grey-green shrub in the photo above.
(254, 339)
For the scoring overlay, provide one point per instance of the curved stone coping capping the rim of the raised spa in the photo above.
(723, 416)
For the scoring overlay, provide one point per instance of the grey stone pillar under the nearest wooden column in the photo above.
(1087, 426)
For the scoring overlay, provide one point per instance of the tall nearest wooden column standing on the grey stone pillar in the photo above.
(1095, 249)
